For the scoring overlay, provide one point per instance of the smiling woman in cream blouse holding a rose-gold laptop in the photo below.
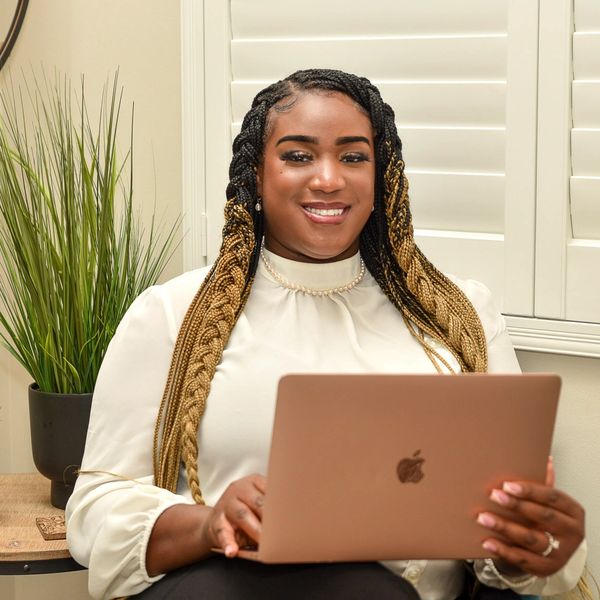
(338, 285)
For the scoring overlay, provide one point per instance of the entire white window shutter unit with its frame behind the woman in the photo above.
(497, 104)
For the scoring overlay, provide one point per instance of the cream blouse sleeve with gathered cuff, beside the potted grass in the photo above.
(114, 505)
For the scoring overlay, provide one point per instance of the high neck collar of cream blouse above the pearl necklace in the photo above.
(316, 276)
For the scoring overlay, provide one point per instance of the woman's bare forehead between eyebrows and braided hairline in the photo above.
(319, 114)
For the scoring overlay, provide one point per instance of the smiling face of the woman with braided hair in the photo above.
(317, 178)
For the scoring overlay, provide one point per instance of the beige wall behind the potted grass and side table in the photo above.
(95, 37)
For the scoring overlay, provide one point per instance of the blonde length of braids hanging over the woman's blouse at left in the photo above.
(198, 350)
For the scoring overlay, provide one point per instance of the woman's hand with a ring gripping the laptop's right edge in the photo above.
(555, 527)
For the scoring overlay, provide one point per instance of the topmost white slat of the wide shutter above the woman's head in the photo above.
(271, 18)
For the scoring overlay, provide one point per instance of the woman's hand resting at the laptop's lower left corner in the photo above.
(236, 518)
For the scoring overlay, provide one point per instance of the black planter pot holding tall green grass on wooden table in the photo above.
(58, 428)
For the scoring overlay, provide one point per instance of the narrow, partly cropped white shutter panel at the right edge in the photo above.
(568, 247)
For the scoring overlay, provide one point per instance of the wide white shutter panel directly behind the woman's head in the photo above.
(444, 68)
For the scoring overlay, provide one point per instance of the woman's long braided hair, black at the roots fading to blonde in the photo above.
(428, 301)
